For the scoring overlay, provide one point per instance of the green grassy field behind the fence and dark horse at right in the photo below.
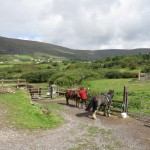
(138, 92)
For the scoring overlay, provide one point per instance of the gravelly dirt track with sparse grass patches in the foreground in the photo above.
(80, 132)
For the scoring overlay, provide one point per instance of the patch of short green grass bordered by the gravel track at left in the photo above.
(24, 115)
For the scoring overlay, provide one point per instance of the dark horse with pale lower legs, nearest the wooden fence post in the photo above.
(101, 100)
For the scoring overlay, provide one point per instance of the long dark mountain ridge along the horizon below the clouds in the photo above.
(16, 46)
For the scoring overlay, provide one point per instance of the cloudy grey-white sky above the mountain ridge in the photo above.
(78, 24)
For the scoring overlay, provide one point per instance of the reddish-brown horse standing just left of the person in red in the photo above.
(72, 94)
